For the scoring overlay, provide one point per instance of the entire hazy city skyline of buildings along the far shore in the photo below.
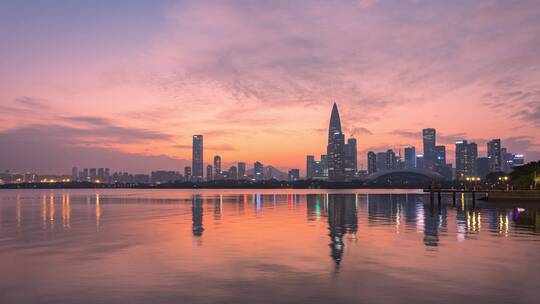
(339, 164)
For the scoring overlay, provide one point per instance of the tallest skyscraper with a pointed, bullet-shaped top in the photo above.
(335, 148)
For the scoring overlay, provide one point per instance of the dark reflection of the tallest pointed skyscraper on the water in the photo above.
(342, 219)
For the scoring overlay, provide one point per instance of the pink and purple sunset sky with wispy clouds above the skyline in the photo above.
(125, 84)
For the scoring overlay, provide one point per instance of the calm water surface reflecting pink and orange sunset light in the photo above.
(271, 246)
